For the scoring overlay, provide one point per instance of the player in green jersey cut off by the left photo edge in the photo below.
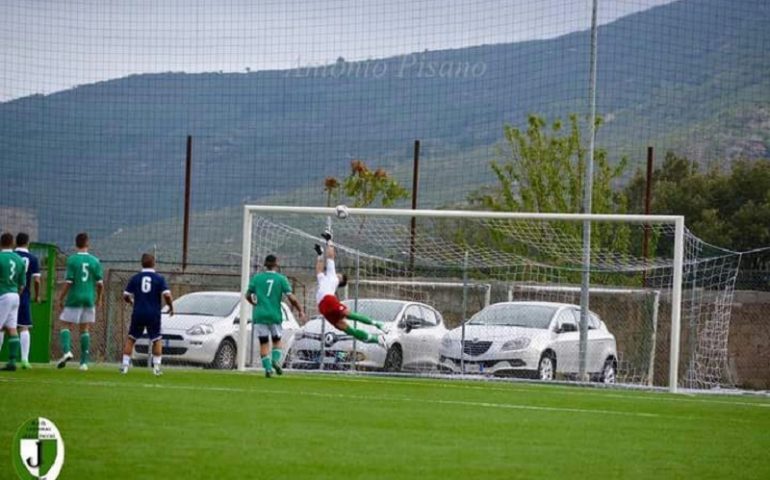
(13, 277)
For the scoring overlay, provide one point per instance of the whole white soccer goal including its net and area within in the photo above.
(498, 294)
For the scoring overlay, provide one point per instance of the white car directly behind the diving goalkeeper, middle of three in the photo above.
(414, 334)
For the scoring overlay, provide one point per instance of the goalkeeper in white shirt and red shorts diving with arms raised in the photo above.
(330, 307)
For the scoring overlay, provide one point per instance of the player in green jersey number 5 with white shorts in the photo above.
(81, 294)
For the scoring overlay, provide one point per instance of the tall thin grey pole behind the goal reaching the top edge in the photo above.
(588, 184)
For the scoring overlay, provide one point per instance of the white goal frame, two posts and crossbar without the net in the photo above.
(665, 220)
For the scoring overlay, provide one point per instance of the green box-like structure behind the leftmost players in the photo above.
(42, 313)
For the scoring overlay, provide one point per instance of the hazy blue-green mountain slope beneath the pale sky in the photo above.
(693, 75)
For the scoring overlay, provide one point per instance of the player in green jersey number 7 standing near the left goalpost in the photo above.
(265, 292)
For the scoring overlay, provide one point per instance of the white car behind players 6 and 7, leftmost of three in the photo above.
(204, 331)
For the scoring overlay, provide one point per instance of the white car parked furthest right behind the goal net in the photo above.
(537, 339)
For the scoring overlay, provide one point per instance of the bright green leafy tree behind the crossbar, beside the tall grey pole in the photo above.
(541, 170)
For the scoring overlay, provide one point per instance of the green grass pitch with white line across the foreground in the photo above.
(194, 424)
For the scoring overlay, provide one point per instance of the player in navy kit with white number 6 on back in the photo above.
(145, 291)
